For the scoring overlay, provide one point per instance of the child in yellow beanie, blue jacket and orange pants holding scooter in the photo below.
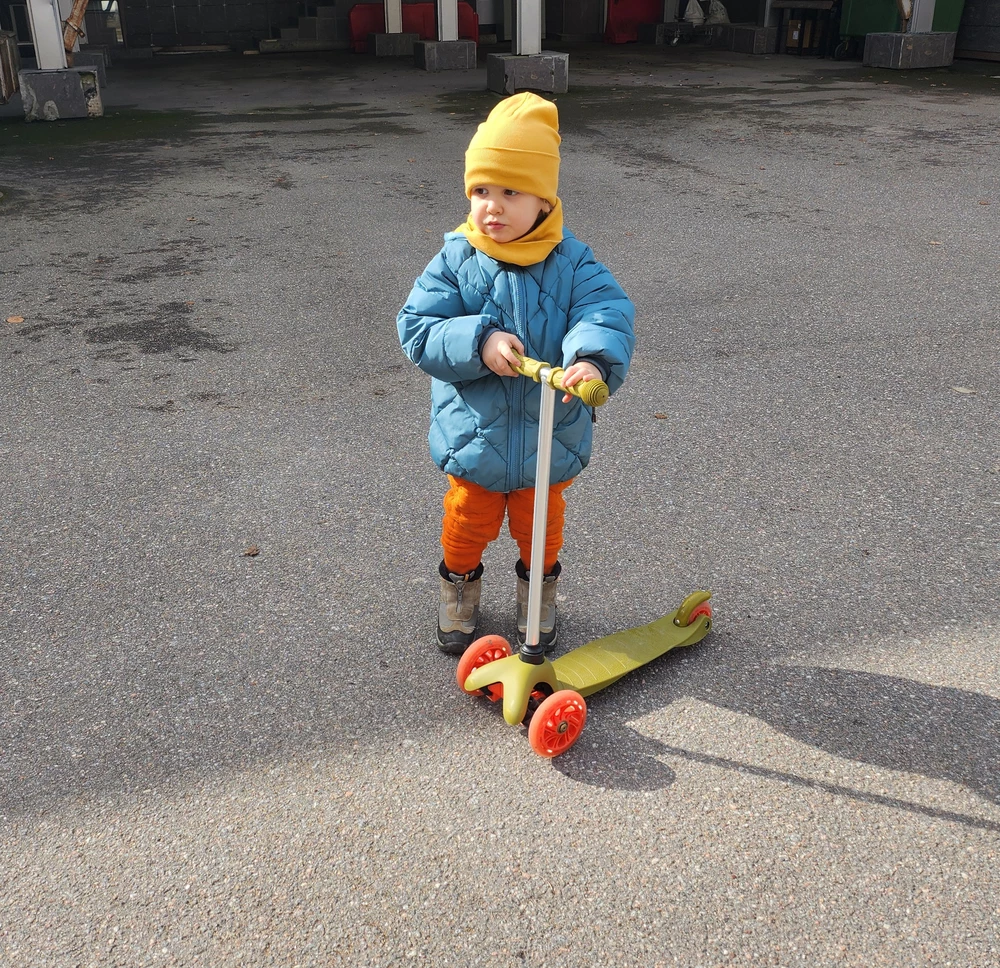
(509, 280)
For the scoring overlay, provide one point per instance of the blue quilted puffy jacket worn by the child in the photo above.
(484, 428)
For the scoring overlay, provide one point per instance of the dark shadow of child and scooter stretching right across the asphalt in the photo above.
(897, 724)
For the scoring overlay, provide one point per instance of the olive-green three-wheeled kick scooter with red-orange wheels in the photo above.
(550, 695)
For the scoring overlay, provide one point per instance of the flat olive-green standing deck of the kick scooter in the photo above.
(598, 664)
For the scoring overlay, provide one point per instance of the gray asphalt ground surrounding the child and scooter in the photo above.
(214, 757)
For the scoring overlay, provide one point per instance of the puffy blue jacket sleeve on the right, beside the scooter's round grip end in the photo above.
(602, 321)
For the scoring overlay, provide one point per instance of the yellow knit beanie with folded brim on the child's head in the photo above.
(517, 147)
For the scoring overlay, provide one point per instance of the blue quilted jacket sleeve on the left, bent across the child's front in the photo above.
(435, 330)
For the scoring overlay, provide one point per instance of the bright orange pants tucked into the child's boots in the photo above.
(473, 517)
